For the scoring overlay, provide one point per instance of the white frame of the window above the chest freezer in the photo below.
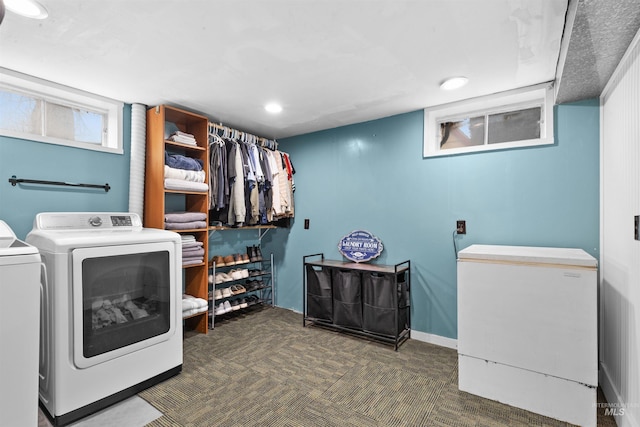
(534, 96)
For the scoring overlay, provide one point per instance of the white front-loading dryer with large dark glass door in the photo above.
(111, 312)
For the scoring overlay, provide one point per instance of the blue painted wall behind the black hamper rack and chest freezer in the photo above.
(372, 176)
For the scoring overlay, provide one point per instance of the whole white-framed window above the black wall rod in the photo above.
(39, 110)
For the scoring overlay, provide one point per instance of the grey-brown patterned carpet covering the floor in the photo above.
(264, 369)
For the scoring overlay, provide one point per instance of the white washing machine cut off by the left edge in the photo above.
(19, 319)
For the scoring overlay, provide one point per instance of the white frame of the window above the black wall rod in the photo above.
(69, 97)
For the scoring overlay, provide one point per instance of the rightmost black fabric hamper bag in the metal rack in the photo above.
(379, 305)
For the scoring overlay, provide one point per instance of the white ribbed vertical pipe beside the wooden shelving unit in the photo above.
(137, 165)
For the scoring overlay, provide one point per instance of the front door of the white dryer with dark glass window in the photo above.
(124, 299)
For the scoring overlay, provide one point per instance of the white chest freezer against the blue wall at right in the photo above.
(527, 329)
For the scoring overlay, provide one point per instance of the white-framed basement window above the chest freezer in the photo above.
(520, 118)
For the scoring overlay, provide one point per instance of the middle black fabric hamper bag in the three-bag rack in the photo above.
(347, 298)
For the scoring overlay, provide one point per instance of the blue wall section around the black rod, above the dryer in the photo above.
(35, 160)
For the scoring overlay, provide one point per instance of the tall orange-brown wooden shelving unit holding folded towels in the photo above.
(158, 200)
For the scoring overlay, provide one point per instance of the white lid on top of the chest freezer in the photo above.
(528, 254)
